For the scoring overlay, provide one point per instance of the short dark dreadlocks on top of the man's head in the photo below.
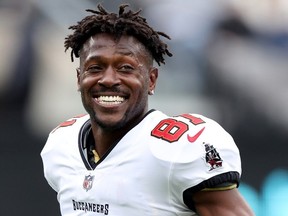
(125, 23)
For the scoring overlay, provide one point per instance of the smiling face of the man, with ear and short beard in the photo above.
(114, 79)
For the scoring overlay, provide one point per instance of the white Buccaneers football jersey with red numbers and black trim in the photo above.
(153, 170)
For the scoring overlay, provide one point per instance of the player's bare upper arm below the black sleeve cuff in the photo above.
(227, 202)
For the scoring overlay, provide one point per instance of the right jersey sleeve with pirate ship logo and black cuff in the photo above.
(212, 160)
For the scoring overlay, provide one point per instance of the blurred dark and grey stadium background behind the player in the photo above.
(230, 63)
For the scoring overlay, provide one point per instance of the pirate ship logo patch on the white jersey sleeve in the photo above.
(212, 157)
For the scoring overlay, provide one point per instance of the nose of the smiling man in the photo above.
(109, 78)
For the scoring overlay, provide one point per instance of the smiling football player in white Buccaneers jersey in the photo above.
(123, 159)
